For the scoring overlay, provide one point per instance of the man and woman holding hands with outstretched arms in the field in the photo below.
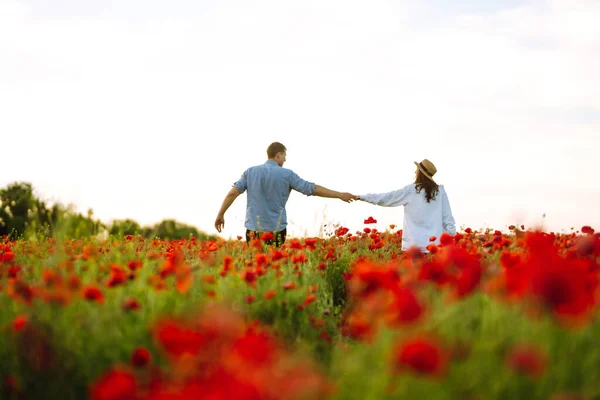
(427, 210)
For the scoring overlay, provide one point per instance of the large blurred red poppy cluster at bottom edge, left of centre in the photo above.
(218, 355)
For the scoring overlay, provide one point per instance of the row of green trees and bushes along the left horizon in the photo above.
(23, 214)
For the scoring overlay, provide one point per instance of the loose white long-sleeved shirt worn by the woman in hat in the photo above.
(421, 219)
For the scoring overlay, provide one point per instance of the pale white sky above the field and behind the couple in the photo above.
(152, 109)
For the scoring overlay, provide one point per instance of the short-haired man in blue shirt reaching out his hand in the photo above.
(269, 186)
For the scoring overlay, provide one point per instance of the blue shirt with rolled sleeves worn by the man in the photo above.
(269, 187)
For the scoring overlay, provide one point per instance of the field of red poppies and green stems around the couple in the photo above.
(482, 315)
